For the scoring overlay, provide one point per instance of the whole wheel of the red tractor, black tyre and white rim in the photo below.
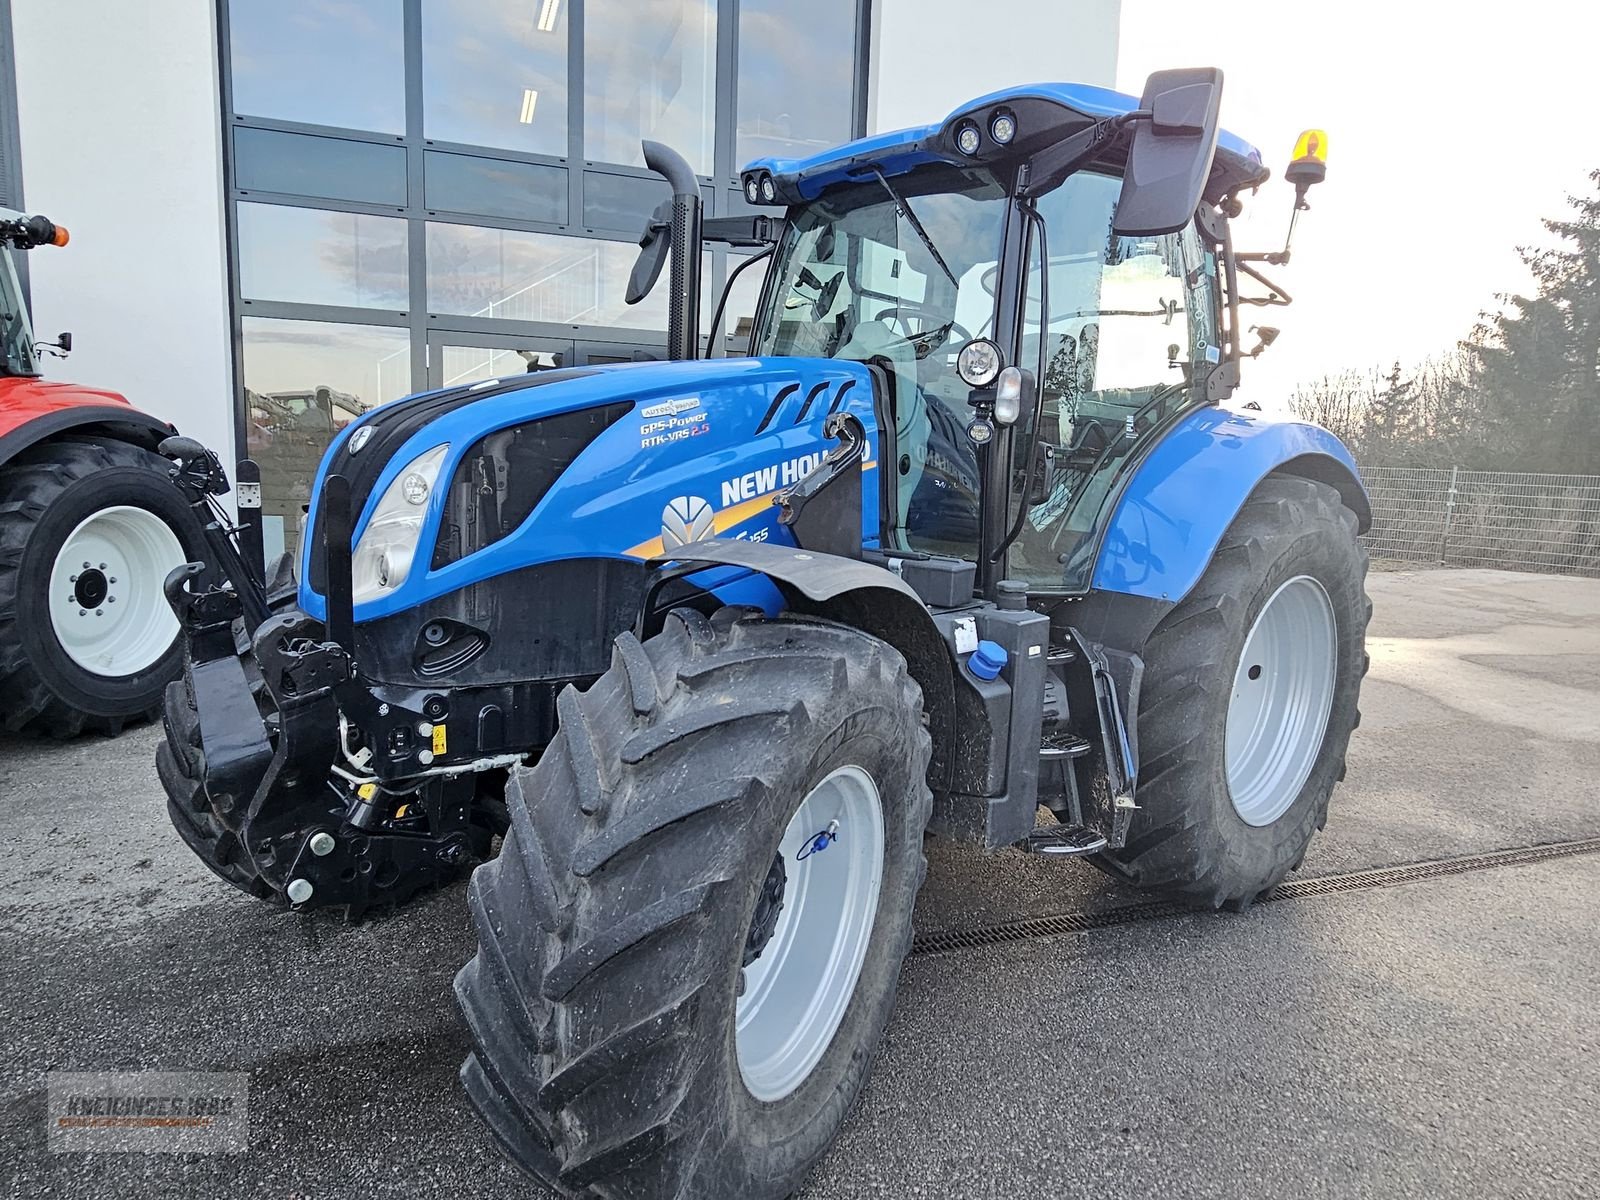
(68, 668)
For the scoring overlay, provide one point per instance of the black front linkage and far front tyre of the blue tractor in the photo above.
(263, 778)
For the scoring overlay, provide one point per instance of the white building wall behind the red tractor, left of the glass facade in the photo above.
(121, 130)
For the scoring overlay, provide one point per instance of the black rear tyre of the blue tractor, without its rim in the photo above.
(1186, 838)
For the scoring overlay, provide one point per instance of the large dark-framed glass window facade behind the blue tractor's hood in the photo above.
(430, 190)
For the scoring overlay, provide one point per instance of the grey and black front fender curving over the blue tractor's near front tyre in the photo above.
(865, 598)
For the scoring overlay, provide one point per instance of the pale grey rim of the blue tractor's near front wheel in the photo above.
(799, 990)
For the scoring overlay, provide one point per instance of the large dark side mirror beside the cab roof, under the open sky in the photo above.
(1170, 159)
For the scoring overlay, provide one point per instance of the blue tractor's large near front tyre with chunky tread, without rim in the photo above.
(612, 926)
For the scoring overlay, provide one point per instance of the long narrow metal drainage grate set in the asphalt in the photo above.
(946, 942)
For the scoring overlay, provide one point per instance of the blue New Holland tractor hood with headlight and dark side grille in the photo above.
(609, 463)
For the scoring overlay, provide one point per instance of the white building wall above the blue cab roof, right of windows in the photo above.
(930, 57)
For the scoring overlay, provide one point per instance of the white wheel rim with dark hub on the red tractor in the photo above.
(106, 602)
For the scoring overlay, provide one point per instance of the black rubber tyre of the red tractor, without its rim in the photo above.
(44, 495)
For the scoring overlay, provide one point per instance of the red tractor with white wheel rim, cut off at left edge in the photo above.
(90, 526)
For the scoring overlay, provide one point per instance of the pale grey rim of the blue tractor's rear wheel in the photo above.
(1282, 697)
